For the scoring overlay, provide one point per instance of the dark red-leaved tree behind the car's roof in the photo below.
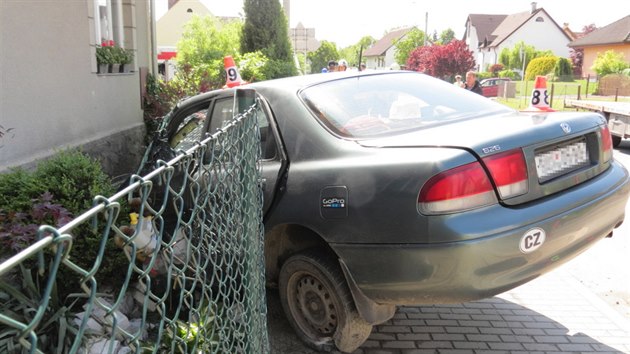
(442, 61)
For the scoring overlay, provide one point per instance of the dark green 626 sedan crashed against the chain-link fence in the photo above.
(394, 188)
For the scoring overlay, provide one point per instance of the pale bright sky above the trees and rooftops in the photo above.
(345, 22)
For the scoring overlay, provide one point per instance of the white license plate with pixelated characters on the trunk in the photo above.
(561, 160)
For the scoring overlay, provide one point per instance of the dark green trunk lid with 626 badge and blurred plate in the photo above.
(560, 150)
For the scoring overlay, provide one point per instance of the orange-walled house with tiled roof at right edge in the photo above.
(615, 36)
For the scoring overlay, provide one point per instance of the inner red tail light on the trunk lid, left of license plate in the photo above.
(509, 172)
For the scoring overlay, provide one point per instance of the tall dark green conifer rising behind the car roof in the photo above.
(266, 30)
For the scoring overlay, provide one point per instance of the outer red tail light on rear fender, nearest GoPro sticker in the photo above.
(462, 188)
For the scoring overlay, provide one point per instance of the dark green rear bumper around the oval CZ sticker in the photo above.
(471, 269)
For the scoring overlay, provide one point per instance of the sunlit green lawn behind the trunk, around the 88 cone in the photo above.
(558, 91)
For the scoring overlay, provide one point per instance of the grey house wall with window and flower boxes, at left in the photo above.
(51, 95)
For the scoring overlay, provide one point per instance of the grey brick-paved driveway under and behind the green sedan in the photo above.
(581, 307)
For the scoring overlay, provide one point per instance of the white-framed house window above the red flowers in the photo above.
(108, 22)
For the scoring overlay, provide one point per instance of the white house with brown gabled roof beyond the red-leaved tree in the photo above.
(488, 35)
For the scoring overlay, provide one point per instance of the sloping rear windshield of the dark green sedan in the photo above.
(392, 103)
